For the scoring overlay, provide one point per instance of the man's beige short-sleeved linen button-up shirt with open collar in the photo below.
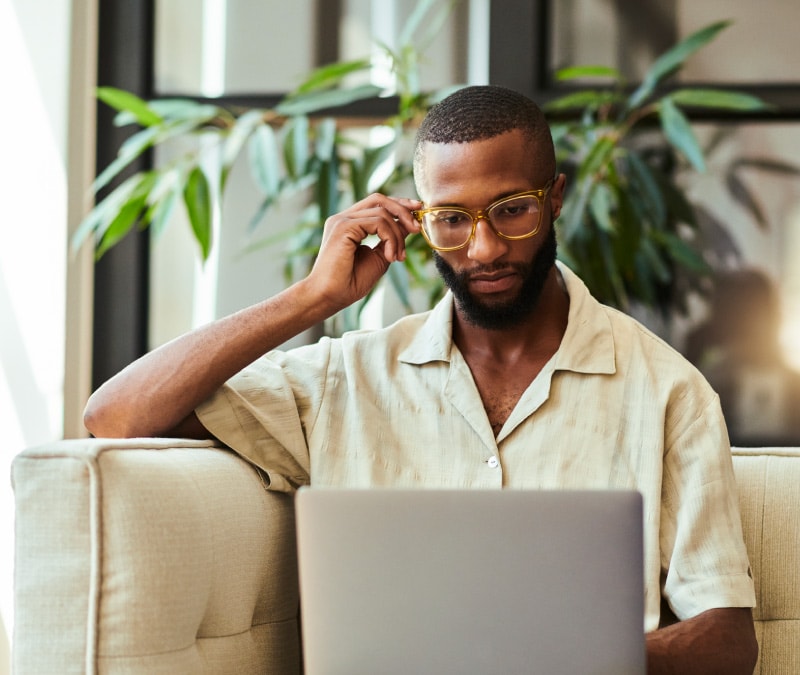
(615, 407)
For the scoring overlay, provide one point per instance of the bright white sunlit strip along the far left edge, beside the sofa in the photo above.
(33, 41)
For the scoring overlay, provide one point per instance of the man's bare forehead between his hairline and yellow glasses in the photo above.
(478, 172)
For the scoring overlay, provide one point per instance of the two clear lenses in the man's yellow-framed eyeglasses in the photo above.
(513, 217)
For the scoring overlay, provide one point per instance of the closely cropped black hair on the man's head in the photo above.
(480, 112)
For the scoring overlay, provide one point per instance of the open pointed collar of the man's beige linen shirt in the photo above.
(587, 345)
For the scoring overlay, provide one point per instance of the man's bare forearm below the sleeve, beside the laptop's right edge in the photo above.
(716, 641)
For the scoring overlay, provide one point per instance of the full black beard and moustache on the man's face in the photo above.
(509, 313)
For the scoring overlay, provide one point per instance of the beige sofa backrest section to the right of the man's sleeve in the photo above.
(768, 481)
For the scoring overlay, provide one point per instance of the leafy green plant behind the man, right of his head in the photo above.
(627, 226)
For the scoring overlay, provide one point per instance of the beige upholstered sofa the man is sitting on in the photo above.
(164, 556)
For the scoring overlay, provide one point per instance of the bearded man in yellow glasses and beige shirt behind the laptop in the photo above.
(518, 378)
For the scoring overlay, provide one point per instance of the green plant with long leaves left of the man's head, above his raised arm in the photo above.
(297, 147)
